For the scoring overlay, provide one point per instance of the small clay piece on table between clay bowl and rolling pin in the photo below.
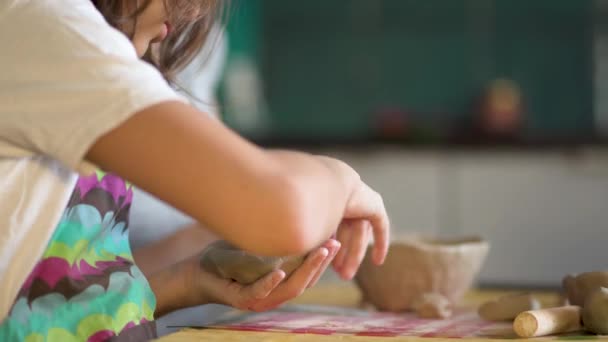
(506, 308)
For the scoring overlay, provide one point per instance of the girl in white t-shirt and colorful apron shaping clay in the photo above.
(84, 87)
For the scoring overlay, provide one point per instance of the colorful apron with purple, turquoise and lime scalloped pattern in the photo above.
(86, 286)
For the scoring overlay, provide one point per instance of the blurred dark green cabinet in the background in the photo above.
(328, 66)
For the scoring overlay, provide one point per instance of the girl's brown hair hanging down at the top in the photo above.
(188, 34)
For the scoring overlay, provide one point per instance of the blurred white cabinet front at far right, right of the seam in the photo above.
(546, 214)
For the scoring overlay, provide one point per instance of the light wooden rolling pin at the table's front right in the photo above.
(551, 321)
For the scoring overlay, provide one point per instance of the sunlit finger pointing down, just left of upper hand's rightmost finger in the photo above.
(357, 247)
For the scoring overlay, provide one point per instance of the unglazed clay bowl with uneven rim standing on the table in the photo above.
(418, 265)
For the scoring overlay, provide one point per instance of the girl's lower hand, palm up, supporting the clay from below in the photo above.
(270, 291)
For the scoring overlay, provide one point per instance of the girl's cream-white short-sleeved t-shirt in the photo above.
(66, 78)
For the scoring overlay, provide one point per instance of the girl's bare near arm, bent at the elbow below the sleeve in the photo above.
(275, 203)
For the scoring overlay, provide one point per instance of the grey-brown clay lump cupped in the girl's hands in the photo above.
(227, 261)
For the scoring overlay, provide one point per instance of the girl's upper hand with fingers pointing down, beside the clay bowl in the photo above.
(364, 217)
